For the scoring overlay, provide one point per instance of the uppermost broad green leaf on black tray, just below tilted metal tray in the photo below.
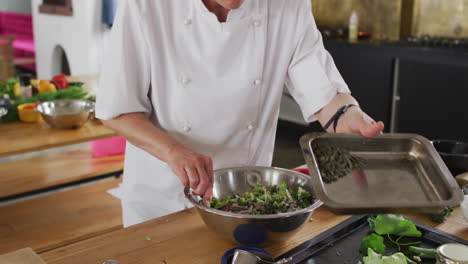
(391, 224)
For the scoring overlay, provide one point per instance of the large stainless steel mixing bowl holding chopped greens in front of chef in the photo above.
(254, 230)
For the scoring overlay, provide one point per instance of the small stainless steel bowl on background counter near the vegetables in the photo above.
(66, 114)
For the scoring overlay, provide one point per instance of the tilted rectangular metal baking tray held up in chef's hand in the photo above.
(404, 174)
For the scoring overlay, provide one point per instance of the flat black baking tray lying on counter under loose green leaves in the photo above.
(340, 244)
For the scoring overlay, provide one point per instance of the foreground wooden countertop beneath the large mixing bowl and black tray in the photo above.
(183, 238)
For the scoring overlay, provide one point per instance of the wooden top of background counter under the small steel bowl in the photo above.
(19, 138)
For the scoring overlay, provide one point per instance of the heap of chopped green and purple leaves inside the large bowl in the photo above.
(265, 200)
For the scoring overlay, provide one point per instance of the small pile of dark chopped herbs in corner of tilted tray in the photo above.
(335, 162)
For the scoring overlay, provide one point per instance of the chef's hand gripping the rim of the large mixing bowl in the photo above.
(194, 170)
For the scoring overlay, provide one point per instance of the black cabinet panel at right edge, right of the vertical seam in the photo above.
(433, 97)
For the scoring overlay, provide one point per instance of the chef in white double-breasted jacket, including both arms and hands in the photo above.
(195, 85)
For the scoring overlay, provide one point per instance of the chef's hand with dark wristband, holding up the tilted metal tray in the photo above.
(358, 122)
